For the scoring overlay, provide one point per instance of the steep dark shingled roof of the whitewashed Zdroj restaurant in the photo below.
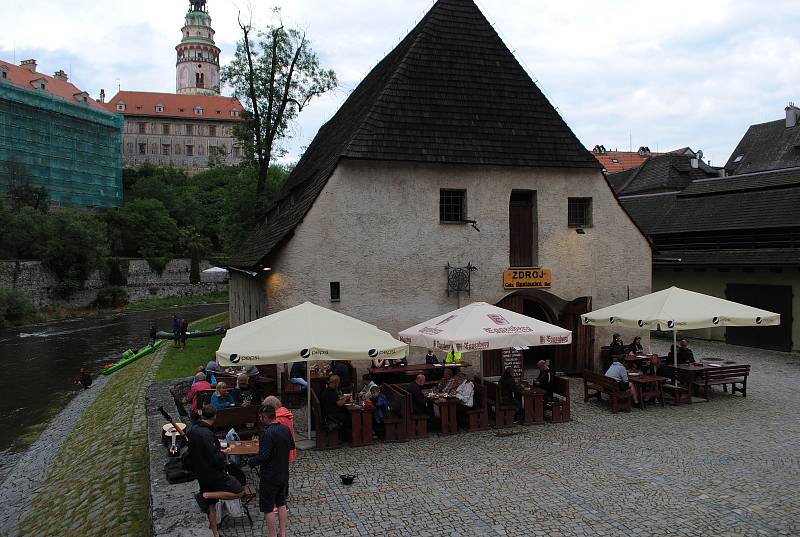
(450, 92)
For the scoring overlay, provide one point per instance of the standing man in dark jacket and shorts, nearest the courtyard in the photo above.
(275, 445)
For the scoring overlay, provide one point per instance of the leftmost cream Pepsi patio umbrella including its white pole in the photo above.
(304, 333)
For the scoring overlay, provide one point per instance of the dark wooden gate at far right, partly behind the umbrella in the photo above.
(775, 298)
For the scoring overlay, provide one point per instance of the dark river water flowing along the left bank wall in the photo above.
(40, 362)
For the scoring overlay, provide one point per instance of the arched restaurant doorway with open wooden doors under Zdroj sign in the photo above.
(552, 309)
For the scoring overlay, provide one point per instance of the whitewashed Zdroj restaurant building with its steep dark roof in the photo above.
(421, 195)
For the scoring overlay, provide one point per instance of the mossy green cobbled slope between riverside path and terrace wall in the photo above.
(97, 485)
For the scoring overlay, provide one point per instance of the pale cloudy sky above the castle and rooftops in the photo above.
(622, 73)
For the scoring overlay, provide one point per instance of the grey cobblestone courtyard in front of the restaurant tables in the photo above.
(730, 466)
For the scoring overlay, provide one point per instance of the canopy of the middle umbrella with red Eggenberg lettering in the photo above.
(481, 326)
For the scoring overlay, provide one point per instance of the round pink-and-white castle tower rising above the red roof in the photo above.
(197, 69)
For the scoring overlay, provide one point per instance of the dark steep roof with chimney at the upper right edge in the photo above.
(766, 146)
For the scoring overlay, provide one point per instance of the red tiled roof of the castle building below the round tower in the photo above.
(143, 103)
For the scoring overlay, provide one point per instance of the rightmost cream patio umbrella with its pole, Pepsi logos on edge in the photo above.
(676, 308)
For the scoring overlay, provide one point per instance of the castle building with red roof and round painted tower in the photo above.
(192, 127)
